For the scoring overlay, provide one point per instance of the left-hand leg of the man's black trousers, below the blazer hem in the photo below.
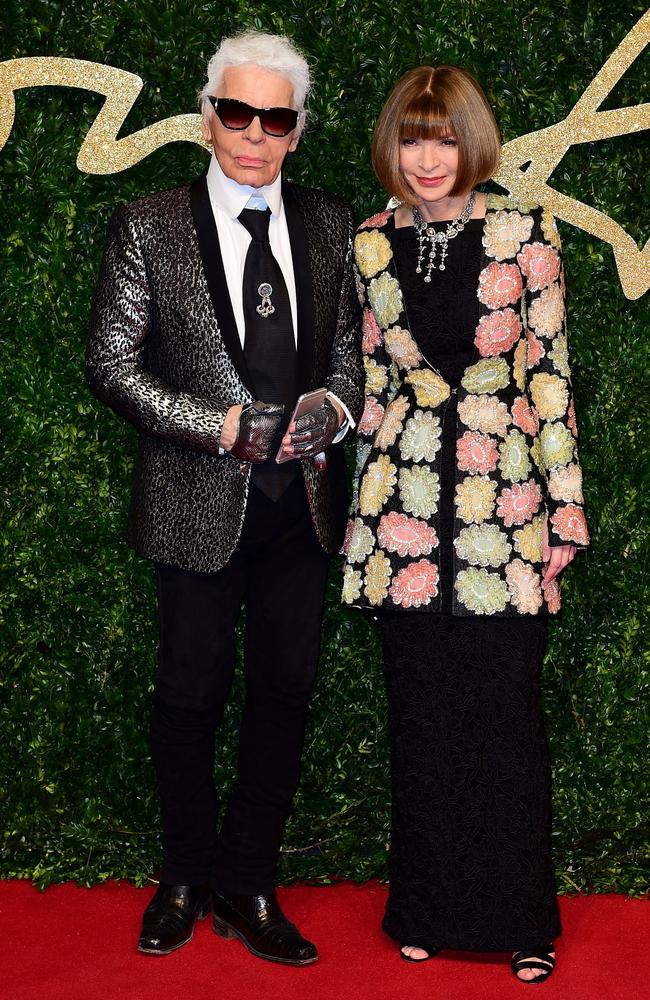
(197, 616)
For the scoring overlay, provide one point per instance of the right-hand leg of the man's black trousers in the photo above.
(284, 605)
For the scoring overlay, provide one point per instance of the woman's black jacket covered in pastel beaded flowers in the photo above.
(516, 454)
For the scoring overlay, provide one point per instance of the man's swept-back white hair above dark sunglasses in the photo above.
(257, 48)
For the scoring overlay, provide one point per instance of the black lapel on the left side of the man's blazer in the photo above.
(208, 240)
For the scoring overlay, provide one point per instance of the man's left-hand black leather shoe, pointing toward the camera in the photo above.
(168, 921)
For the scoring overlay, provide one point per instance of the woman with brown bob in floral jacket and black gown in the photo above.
(468, 505)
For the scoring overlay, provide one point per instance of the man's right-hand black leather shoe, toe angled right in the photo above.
(260, 924)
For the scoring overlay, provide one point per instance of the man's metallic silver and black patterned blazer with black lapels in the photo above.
(164, 353)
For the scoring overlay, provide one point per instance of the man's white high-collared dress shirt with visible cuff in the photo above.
(228, 199)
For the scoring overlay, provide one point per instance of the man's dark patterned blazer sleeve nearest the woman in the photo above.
(345, 377)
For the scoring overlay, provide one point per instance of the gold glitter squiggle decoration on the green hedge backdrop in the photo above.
(526, 162)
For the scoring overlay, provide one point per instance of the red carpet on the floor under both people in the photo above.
(79, 944)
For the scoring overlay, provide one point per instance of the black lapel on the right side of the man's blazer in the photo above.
(304, 288)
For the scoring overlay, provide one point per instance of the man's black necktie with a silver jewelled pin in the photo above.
(269, 344)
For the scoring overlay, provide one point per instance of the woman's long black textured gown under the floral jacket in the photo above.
(470, 863)
